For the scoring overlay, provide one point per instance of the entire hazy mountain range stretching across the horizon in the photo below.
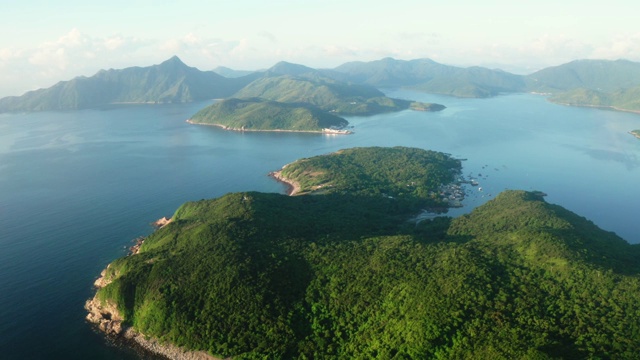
(583, 82)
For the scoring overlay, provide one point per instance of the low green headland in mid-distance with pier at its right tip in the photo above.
(257, 114)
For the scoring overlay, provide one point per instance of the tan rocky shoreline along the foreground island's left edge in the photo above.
(106, 317)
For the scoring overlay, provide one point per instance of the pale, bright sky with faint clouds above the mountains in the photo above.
(43, 42)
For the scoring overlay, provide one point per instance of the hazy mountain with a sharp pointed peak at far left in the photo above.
(169, 82)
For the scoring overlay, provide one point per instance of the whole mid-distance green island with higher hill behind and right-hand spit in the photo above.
(301, 103)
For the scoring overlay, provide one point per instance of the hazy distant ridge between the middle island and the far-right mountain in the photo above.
(429, 76)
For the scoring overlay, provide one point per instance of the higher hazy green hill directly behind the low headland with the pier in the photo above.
(327, 94)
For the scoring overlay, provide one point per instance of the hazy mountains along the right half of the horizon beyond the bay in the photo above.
(605, 83)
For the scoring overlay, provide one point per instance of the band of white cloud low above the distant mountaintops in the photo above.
(76, 53)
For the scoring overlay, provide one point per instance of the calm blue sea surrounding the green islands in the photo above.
(77, 187)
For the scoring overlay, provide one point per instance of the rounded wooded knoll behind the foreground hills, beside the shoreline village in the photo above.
(401, 173)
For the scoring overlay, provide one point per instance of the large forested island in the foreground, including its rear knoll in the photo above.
(340, 272)
